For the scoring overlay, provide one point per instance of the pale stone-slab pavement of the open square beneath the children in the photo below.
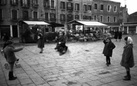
(82, 65)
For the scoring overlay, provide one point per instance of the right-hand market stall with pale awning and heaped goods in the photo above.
(86, 30)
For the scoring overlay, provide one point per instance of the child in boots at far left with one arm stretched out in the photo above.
(9, 53)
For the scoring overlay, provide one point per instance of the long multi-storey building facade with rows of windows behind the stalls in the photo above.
(59, 11)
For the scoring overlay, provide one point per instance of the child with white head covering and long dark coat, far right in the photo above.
(128, 57)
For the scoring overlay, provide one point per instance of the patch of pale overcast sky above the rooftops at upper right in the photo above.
(131, 5)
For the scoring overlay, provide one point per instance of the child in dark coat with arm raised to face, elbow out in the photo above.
(108, 50)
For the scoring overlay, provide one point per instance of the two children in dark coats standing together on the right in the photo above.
(127, 56)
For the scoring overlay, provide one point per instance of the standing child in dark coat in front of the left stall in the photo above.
(40, 40)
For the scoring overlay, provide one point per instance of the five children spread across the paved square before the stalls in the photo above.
(127, 56)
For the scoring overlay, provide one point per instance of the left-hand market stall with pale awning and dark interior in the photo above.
(28, 30)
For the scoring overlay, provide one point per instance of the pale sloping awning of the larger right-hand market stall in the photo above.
(89, 23)
